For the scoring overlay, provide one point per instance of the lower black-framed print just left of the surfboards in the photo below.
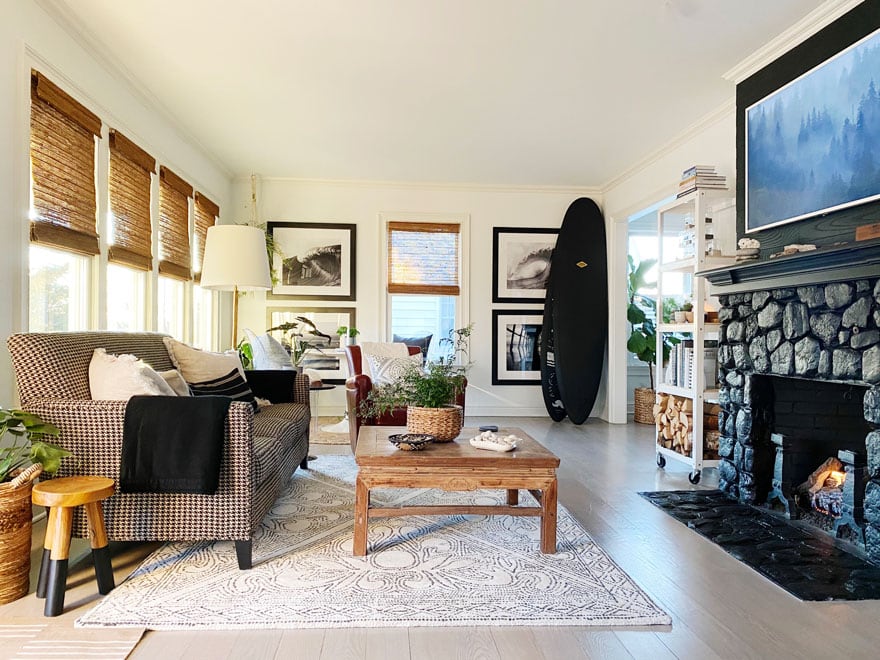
(515, 340)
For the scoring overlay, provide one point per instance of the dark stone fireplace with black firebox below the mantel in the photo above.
(799, 368)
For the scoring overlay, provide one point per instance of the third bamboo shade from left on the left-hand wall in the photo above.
(175, 259)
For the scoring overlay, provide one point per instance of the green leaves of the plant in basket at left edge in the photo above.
(27, 446)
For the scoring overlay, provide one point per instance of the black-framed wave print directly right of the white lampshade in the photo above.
(316, 260)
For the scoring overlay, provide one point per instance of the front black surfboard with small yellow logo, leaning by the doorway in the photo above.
(579, 309)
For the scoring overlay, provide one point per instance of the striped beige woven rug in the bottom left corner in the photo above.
(22, 638)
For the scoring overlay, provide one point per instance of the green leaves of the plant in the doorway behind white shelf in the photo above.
(642, 340)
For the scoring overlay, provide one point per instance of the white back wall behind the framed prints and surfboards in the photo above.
(361, 203)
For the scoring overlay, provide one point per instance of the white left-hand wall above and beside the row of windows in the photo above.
(30, 38)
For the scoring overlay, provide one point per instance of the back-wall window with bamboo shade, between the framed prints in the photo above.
(424, 281)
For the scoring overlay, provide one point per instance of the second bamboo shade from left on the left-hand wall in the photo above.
(131, 170)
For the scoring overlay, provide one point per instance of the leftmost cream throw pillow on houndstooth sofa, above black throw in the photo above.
(120, 377)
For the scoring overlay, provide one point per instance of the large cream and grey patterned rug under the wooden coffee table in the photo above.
(420, 571)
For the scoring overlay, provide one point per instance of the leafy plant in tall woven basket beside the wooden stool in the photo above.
(23, 455)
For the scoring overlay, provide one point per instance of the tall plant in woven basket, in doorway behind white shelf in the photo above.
(642, 341)
